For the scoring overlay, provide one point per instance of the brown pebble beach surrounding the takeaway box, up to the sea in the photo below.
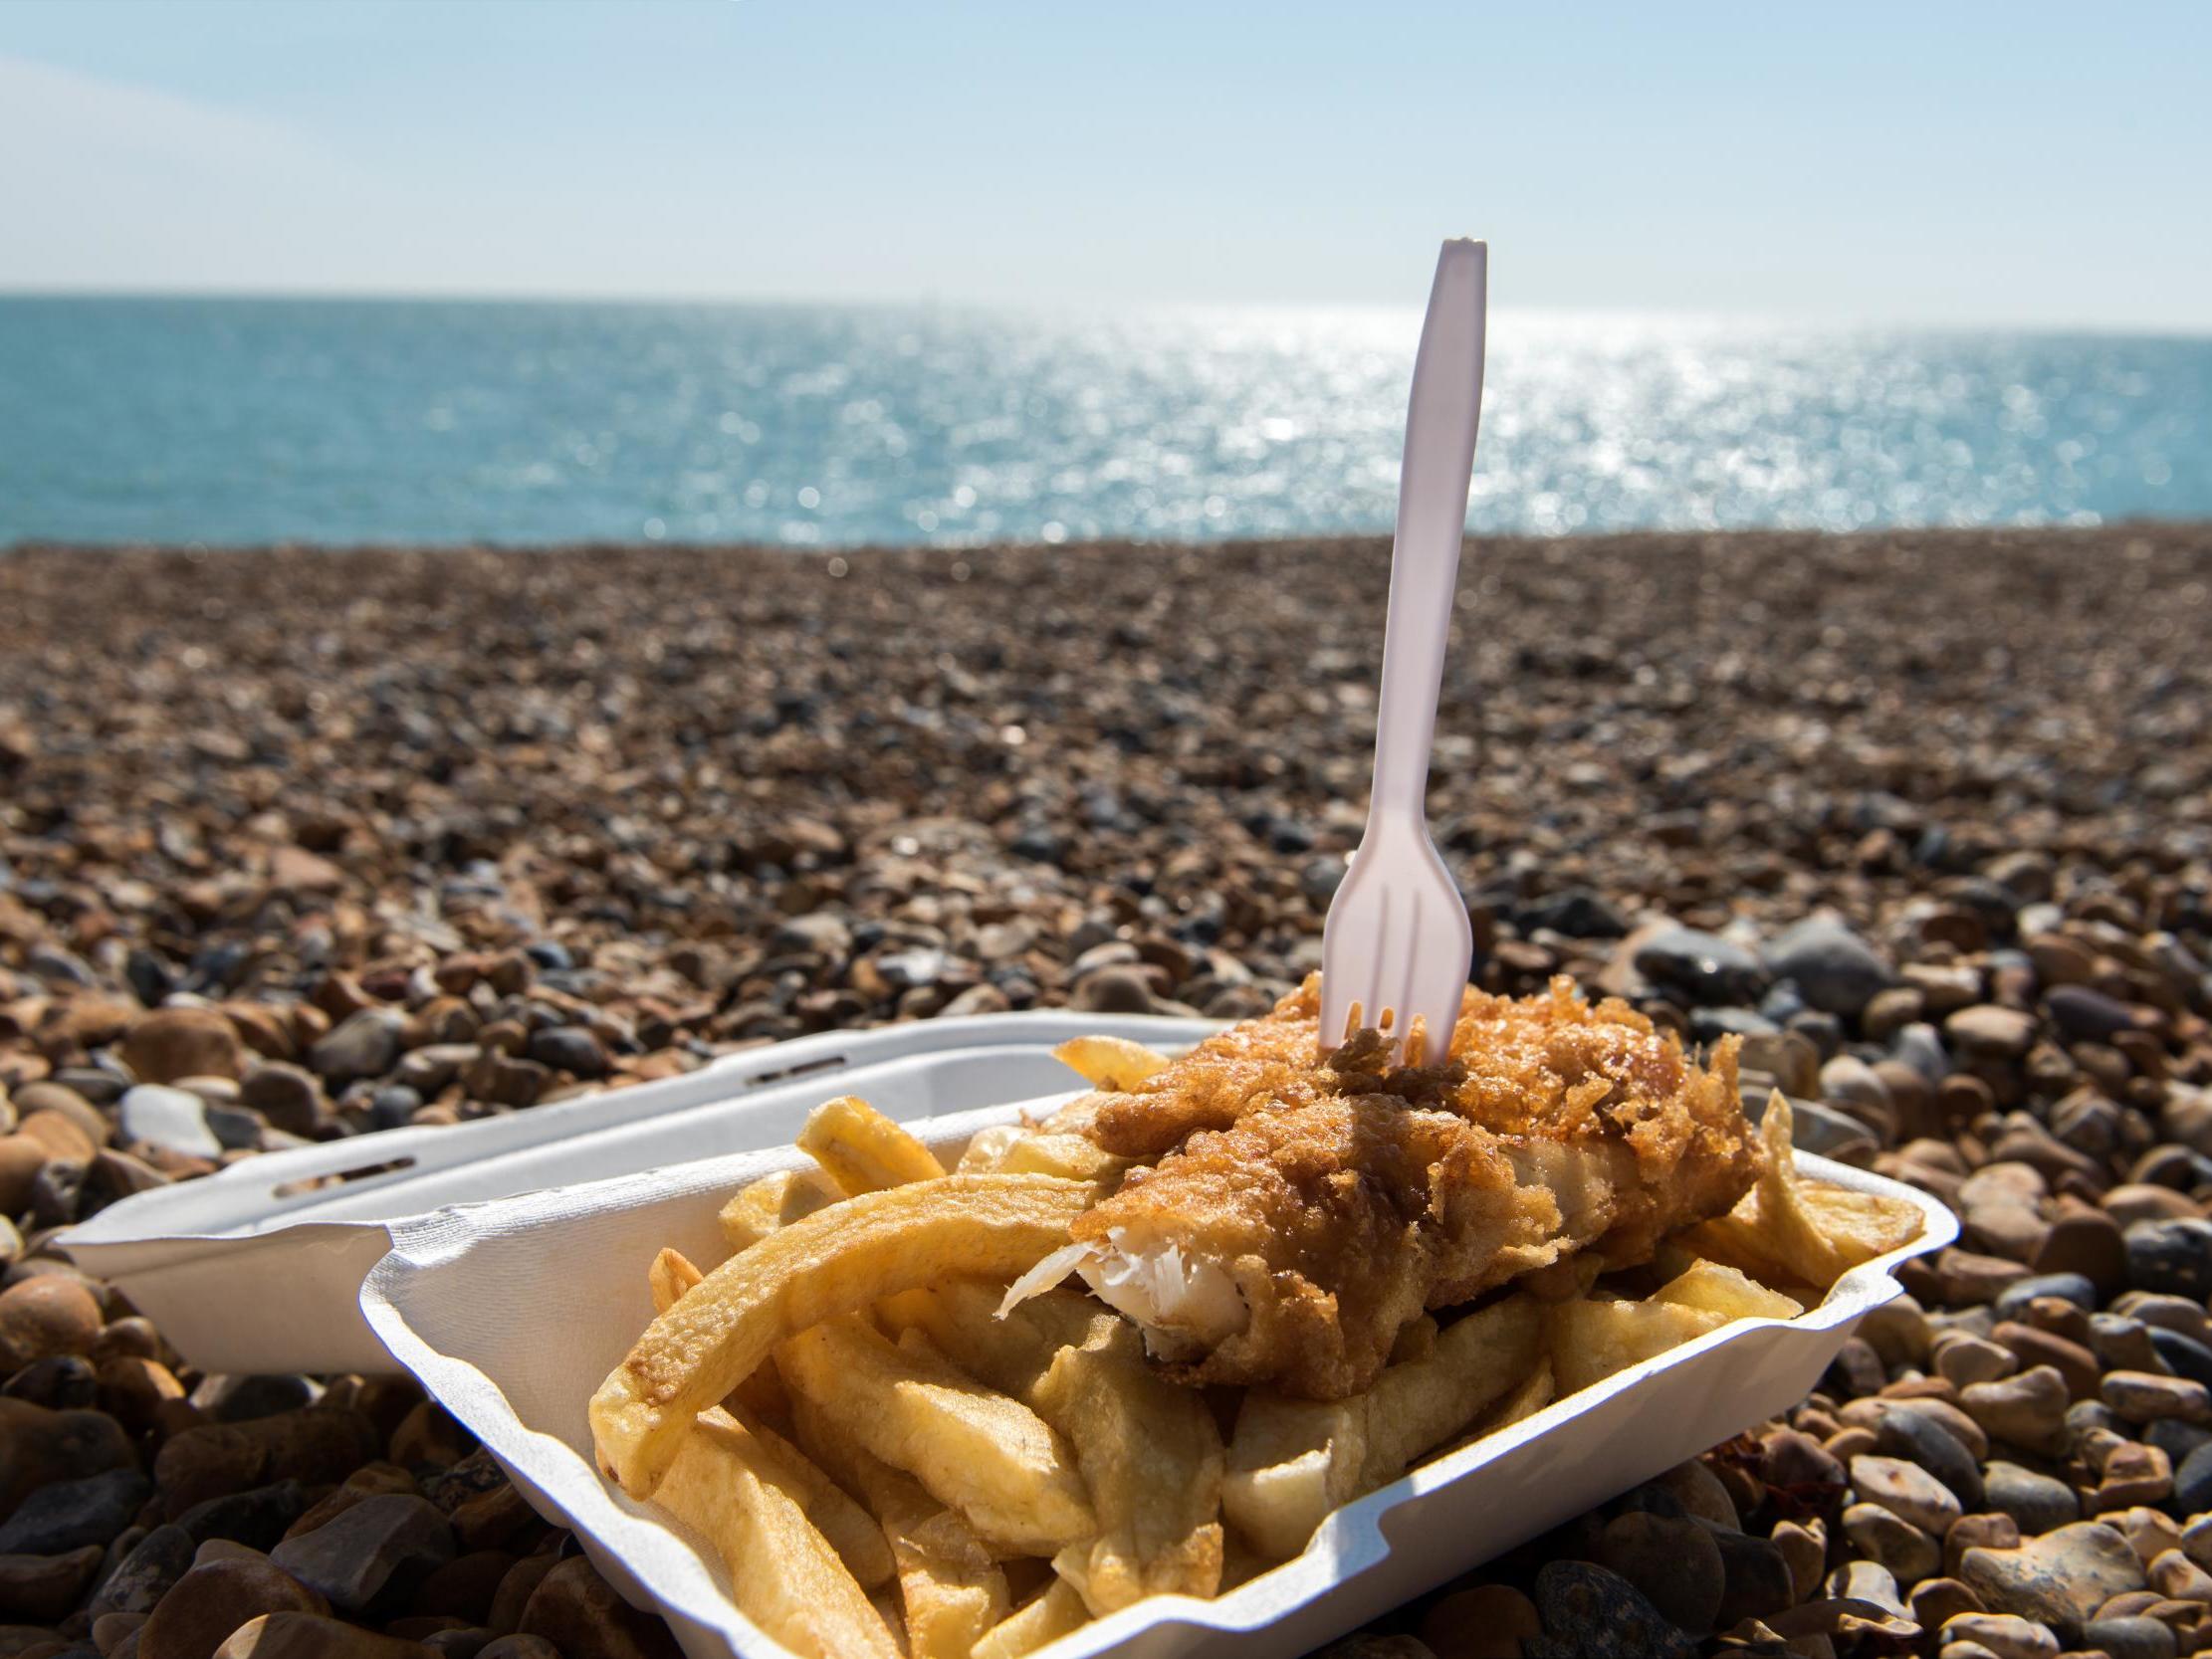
(306, 844)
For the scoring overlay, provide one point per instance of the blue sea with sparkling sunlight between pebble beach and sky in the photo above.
(399, 421)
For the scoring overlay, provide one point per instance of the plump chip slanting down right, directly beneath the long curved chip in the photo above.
(977, 1450)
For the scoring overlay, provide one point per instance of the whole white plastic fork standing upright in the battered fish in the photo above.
(1397, 946)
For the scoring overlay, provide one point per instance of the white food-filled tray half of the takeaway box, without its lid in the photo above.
(512, 1315)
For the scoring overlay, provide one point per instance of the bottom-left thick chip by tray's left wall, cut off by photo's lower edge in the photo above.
(784, 1574)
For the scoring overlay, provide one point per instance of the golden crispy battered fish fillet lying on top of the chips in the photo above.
(1297, 1213)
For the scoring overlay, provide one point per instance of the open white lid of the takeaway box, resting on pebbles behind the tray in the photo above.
(260, 1266)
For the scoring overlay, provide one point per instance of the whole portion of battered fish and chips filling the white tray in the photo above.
(1151, 1344)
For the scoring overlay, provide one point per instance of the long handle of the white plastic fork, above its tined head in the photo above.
(1432, 521)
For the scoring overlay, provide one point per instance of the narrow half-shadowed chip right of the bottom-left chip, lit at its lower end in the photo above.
(952, 1592)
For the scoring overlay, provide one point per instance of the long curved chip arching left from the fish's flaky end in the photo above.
(828, 1264)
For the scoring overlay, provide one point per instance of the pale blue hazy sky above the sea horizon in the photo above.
(1959, 163)
